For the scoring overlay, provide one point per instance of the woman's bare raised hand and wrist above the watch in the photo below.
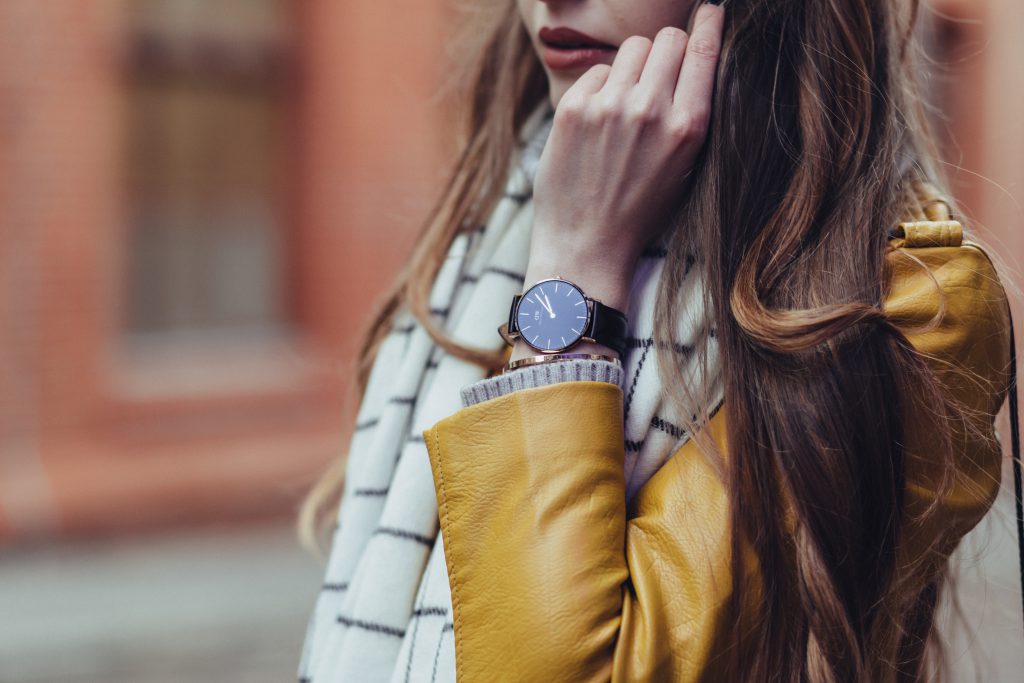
(623, 142)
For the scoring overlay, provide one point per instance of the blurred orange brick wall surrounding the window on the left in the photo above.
(94, 441)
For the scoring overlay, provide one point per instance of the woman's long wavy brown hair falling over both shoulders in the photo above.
(818, 135)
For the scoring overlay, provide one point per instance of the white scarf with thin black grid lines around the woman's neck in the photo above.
(385, 613)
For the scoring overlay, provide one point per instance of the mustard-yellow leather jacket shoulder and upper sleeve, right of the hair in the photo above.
(946, 297)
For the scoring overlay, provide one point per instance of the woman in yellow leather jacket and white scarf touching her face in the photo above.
(777, 423)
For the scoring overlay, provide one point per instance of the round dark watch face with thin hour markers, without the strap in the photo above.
(552, 316)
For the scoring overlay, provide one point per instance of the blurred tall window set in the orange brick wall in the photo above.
(209, 154)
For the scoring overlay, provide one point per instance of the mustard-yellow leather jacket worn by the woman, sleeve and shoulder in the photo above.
(553, 579)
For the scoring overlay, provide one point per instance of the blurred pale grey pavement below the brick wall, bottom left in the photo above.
(215, 606)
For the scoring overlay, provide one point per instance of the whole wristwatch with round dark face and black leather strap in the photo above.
(554, 316)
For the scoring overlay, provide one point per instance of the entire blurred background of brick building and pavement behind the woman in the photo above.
(200, 201)
